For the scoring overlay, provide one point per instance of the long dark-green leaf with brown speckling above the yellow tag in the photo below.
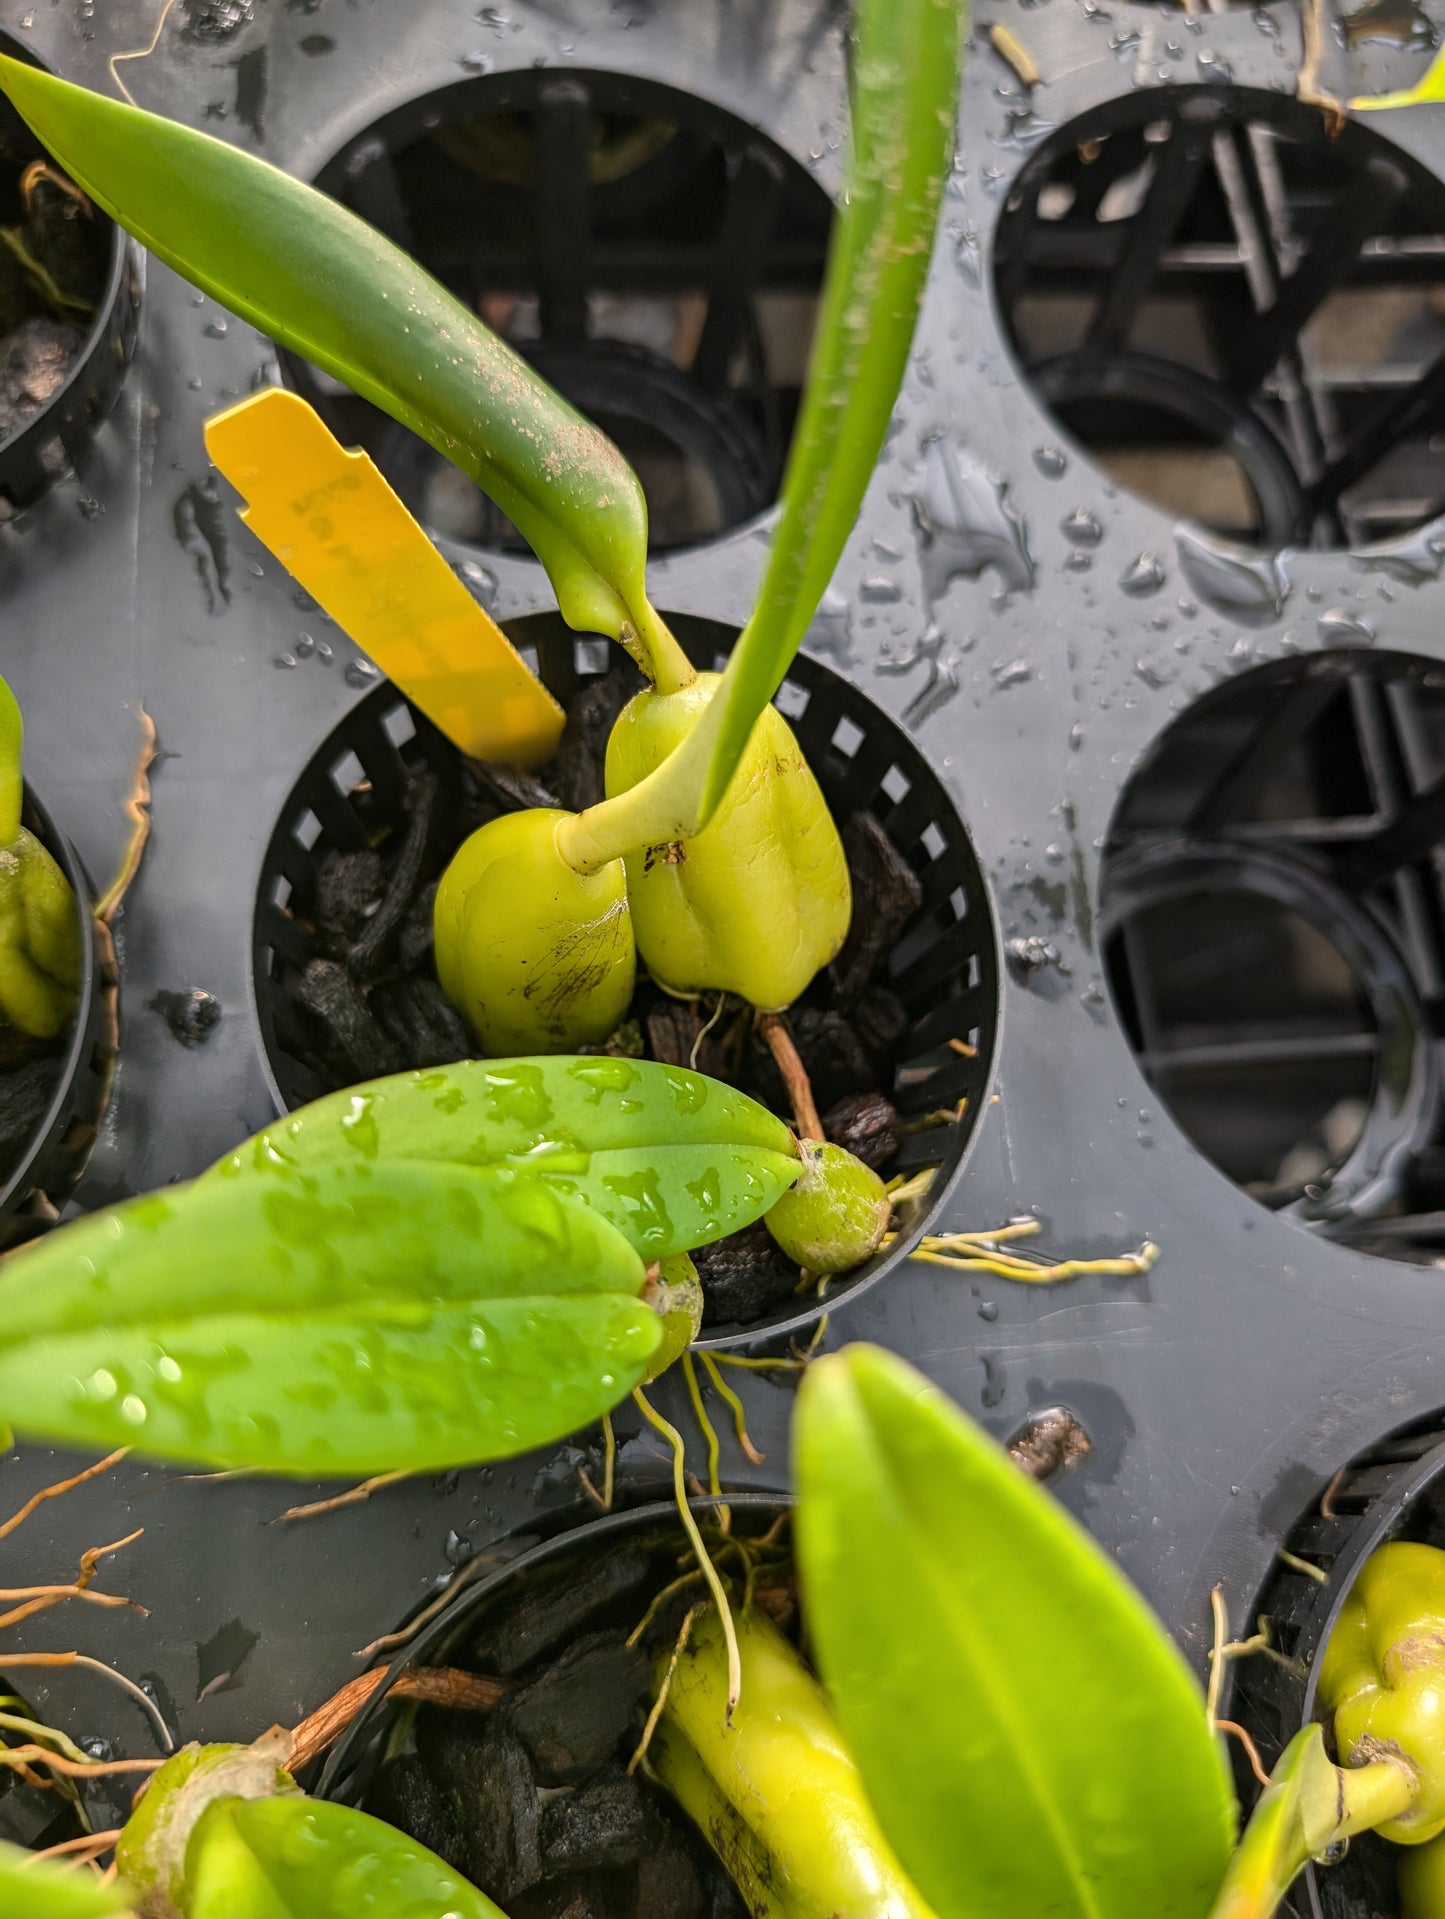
(327, 285)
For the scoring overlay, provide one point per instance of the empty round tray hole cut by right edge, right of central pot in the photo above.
(1275, 928)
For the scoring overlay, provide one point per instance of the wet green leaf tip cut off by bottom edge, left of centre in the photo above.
(296, 1859)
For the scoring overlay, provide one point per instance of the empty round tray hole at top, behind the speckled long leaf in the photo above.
(653, 256)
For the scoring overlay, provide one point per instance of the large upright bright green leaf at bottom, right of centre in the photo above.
(1028, 1734)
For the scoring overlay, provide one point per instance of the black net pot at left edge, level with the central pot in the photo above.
(53, 1097)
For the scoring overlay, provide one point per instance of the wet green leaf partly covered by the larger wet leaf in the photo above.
(671, 1158)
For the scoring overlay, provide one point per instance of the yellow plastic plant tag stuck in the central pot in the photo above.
(339, 529)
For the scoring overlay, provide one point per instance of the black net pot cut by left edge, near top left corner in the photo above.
(66, 344)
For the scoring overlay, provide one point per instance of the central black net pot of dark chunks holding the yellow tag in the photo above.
(385, 803)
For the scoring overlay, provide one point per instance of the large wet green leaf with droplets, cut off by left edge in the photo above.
(344, 1319)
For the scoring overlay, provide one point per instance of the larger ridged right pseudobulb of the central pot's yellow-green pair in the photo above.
(759, 901)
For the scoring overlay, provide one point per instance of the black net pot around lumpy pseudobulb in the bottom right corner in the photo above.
(1392, 1492)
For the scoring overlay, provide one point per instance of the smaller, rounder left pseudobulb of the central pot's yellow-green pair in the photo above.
(533, 955)
